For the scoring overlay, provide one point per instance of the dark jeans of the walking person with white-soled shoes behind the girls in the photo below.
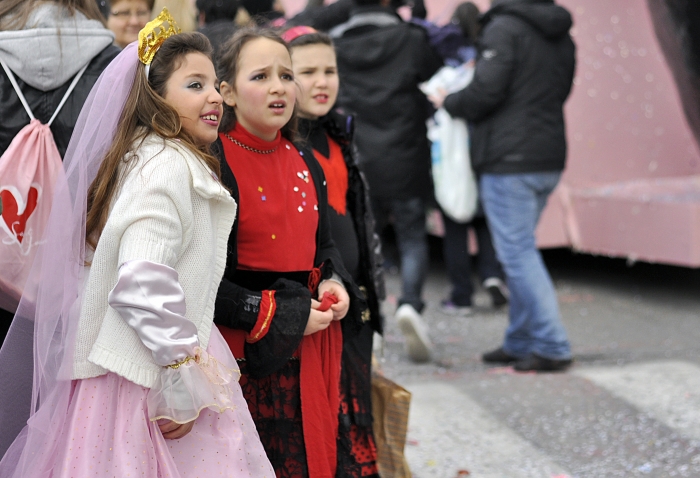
(409, 225)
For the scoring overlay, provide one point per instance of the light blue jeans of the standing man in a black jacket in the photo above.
(513, 204)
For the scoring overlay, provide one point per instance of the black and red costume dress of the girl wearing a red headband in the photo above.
(352, 229)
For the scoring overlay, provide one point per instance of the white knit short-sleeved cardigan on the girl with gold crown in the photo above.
(170, 210)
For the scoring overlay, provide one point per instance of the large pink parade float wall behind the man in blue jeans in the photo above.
(632, 183)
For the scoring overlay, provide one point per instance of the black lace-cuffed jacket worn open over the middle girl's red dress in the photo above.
(238, 298)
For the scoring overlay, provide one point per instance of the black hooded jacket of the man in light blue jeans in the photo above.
(523, 76)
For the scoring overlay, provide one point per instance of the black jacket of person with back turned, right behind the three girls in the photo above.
(381, 62)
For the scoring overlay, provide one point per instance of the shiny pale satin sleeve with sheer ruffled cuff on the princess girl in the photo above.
(150, 299)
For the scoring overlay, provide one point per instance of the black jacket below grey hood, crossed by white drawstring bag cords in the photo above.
(44, 103)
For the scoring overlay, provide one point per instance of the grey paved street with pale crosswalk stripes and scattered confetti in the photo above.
(629, 407)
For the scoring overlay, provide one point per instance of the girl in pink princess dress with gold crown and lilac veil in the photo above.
(130, 376)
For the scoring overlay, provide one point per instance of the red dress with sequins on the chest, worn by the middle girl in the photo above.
(294, 404)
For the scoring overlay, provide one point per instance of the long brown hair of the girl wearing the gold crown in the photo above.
(145, 112)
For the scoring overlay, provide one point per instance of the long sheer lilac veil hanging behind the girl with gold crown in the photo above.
(37, 354)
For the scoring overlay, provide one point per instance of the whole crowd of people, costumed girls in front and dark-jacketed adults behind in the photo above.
(209, 284)
